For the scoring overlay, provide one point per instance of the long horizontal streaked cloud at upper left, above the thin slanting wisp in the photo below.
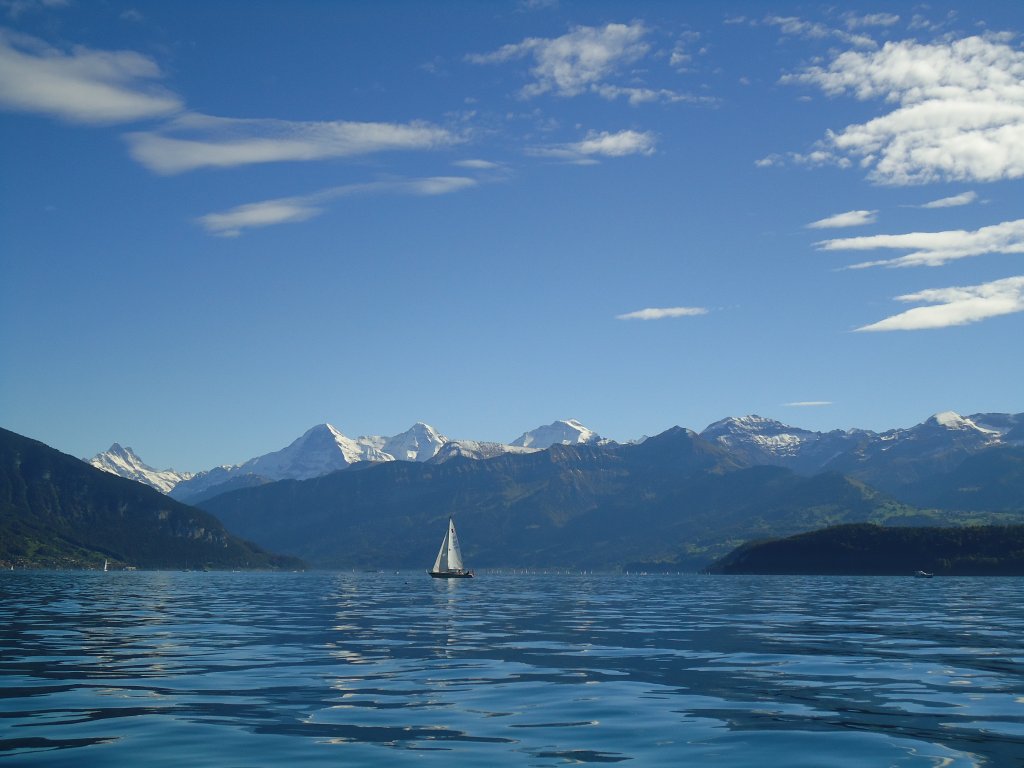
(224, 143)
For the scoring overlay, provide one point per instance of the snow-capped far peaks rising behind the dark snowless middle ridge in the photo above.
(888, 461)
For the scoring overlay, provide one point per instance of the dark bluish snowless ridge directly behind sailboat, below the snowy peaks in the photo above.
(673, 497)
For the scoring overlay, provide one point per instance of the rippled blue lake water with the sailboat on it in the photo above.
(173, 669)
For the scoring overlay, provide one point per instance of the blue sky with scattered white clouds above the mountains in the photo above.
(224, 223)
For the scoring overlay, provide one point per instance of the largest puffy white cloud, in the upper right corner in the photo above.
(960, 111)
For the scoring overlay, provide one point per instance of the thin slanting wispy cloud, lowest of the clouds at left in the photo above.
(233, 223)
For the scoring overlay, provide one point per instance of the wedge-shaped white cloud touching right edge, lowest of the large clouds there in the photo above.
(956, 307)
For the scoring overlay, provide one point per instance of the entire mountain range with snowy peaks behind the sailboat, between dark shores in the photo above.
(566, 497)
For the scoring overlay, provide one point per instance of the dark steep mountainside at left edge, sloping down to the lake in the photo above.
(58, 511)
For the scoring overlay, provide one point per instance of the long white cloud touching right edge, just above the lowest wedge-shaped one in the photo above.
(935, 249)
